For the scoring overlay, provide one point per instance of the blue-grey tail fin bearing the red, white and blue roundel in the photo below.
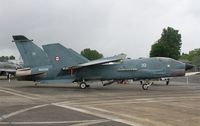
(61, 56)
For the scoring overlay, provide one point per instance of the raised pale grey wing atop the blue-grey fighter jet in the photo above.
(98, 62)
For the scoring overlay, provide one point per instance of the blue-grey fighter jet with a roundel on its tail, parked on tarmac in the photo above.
(57, 64)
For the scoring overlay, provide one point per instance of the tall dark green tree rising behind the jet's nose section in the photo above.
(169, 45)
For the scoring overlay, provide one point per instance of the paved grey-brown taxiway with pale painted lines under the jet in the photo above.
(22, 103)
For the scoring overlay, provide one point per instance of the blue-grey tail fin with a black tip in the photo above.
(32, 55)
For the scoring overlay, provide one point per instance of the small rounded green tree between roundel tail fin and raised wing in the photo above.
(91, 54)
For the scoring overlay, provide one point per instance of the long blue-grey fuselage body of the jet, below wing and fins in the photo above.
(137, 69)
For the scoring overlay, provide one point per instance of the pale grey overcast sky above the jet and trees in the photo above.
(109, 26)
